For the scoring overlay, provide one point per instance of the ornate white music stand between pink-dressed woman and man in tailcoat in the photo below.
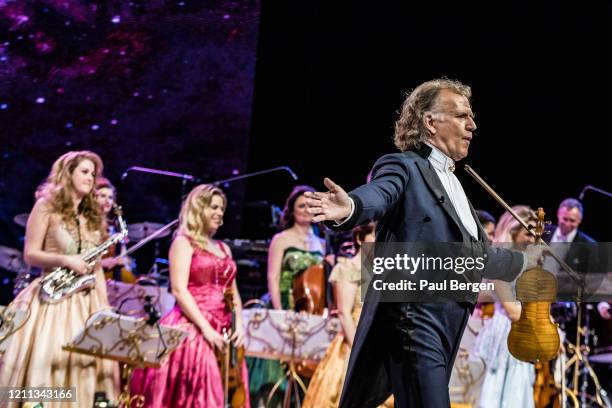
(294, 338)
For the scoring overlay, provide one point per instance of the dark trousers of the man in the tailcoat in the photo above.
(423, 341)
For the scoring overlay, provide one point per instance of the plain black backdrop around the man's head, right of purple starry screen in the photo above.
(330, 79)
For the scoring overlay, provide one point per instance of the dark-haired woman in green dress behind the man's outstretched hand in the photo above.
(292, 250)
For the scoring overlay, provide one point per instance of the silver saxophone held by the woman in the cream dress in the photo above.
(62, 283)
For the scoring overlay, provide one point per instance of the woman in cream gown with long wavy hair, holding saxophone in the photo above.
(64, 223)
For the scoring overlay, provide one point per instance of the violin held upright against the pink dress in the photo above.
(230, 361)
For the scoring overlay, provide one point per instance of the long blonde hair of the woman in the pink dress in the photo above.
(192, 221)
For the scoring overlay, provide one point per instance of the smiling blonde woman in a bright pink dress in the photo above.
(201, 270)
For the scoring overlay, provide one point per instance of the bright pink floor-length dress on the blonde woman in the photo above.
(191, 377)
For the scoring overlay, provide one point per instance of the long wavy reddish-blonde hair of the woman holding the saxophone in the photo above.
(57, 188)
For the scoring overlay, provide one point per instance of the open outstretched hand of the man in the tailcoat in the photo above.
(334, 205)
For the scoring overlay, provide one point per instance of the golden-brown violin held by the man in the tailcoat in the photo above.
(534, 337)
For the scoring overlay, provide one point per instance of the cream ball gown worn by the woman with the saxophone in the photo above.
(34, 357)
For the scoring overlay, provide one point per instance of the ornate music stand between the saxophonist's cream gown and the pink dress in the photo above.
(128, 340)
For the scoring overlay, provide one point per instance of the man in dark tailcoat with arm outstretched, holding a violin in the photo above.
(408, 349)
